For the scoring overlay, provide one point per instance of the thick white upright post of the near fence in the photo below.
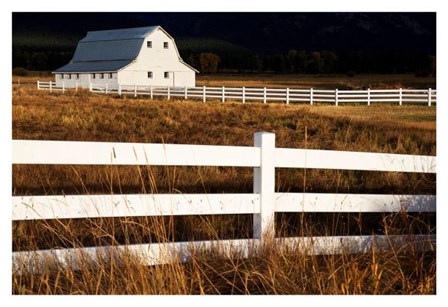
(264, 184)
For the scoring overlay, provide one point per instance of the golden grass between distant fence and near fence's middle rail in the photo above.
(85, 117)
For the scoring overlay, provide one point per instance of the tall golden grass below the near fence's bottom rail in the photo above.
(269, 272)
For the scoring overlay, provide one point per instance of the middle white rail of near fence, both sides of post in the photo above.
(94, 206)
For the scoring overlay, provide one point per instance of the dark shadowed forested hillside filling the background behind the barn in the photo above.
(311, 43)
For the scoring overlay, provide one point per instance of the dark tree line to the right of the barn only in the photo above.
(320, 62)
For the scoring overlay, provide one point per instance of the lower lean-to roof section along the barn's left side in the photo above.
(93, 66)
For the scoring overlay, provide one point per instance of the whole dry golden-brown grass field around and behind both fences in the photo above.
(84, 116)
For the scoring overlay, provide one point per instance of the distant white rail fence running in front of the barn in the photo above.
(265, 95)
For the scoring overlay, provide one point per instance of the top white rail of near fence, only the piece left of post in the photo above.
(94, 153)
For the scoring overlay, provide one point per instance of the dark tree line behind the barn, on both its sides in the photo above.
(289, 62)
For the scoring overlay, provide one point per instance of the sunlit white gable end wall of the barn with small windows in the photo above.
(158, 60)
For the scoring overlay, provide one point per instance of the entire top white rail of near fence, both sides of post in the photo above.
(94, 153)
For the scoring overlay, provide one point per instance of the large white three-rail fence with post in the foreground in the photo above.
(264, 157)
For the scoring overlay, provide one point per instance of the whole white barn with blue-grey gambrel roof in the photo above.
(135, 56)
